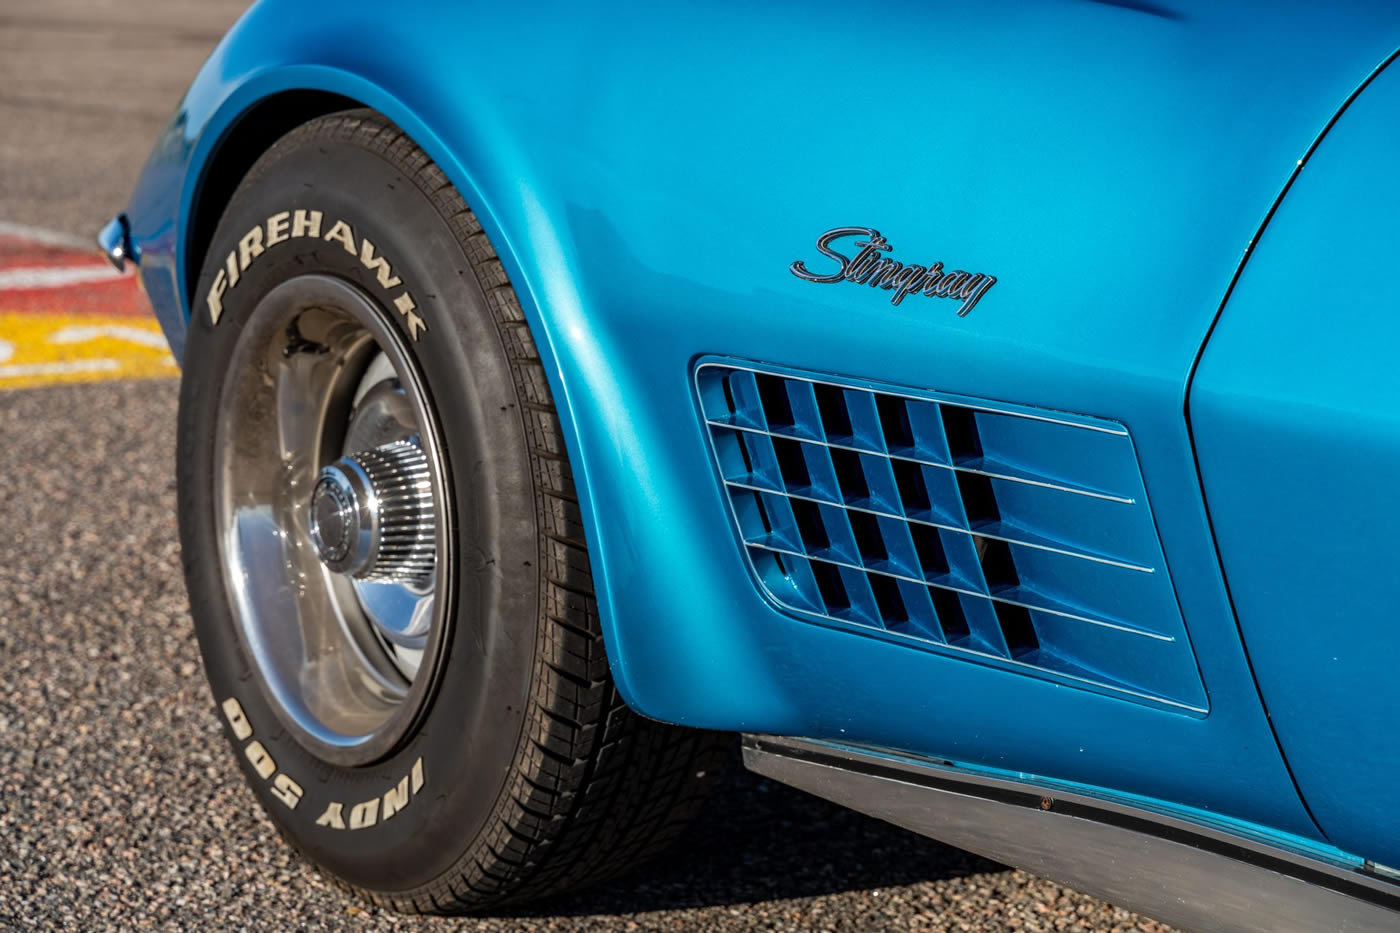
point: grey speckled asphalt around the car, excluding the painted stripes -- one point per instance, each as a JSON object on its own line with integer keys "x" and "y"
{"x": 120, "y": 803}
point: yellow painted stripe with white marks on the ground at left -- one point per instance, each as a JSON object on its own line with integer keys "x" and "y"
{"x": 47, "y": 350}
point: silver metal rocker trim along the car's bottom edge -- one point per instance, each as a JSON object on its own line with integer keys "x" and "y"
{"x": 1195, "y": 876}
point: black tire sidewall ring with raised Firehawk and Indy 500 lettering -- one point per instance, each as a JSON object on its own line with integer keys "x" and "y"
{"x": 468, "y": 738}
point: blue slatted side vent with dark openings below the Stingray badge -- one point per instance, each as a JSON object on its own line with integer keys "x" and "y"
{"x": 1013, "y": 536}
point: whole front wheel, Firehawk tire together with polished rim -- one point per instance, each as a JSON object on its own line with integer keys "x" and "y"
{"x": 384, "y": 551}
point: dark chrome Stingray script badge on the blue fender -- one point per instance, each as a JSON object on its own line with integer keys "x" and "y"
{"x": 869, "y": 267}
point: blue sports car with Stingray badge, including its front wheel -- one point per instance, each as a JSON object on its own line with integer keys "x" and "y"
{"x": 958, "y": 401}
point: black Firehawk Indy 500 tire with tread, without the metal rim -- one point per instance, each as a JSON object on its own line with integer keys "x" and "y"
{"x": 538, "y": 778}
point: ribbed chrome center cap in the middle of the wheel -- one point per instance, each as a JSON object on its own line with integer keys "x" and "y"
{"x": 372, "y": 515}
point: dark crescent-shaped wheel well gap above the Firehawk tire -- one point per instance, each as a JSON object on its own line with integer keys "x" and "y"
{"x": 248, "y": 138}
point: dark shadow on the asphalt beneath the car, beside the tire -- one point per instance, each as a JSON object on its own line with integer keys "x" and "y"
{"x": 761, "y": 841}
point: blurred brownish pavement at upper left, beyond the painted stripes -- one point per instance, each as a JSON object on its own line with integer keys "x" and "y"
{"x": 92, "y": 83}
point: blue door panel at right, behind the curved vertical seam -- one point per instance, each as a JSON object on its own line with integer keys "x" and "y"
{"x": 1294, "y": 415}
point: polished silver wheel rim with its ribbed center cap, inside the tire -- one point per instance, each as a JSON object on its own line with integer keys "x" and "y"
{"x": 334, "y": 518}
